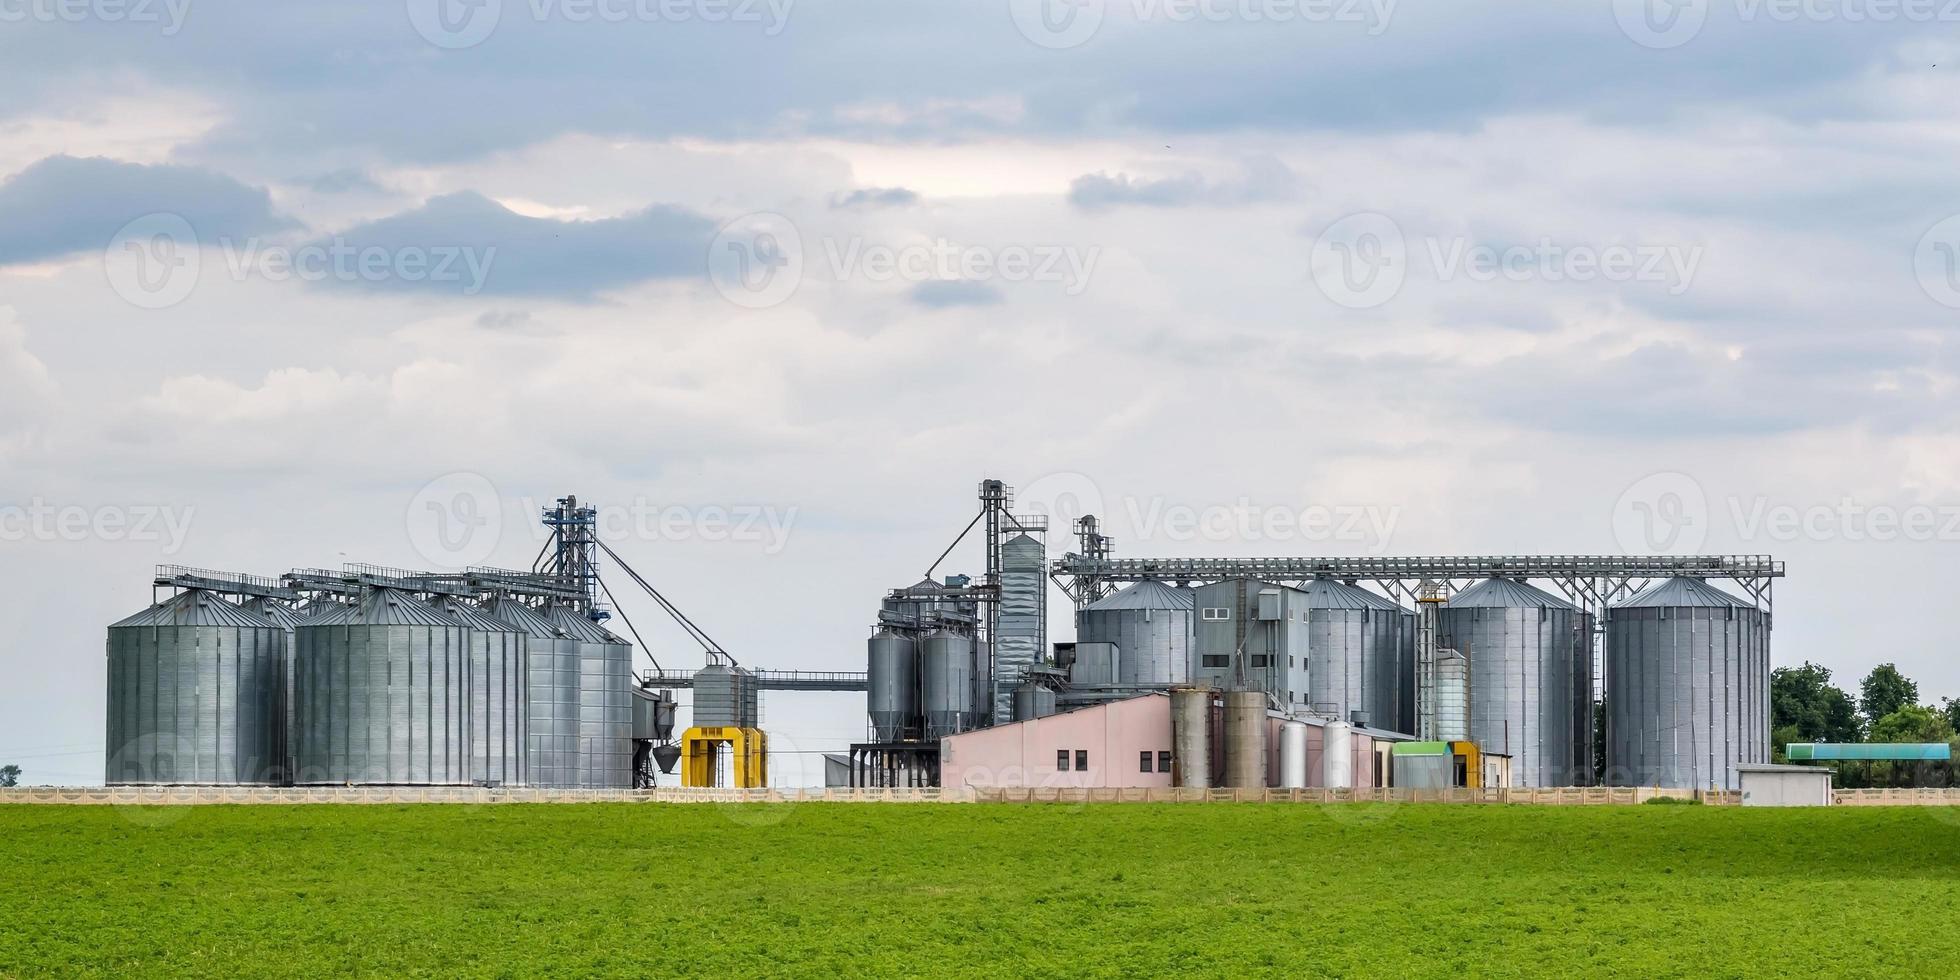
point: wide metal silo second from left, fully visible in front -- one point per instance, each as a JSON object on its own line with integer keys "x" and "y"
{"x": 381, "y": 695}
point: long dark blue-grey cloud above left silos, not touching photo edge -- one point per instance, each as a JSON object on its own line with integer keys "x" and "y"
{"x": 536, "y": 256}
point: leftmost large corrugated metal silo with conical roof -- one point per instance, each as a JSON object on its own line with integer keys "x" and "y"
{"x": 195, "y": 695}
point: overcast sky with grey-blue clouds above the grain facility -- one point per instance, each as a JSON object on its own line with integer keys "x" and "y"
{"x": 781, "y": 281}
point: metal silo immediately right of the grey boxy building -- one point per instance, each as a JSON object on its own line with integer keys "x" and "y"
{"x": 1355, "y": 658}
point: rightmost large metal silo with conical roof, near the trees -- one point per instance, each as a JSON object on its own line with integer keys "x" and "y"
{"x": 1689, "y": 687}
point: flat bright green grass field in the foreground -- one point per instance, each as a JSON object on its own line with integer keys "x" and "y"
{"x": 979, "y": 891}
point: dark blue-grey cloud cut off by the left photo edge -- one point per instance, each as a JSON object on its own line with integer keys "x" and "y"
{"x": 68, "y": 205}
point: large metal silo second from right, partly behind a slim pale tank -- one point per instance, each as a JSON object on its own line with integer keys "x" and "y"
{"x": 1520, "y": 646}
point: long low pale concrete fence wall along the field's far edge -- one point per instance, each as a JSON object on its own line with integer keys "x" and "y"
{"x": 471, "y": 795}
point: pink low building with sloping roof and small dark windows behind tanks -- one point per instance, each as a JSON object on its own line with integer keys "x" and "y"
{"x": 1122, "y": 746}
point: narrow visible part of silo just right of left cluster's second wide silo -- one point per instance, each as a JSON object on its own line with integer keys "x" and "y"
{"x": 499, "y": 709}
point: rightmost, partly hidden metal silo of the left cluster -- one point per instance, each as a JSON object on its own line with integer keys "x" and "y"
{"x": 605, "y": 701}
